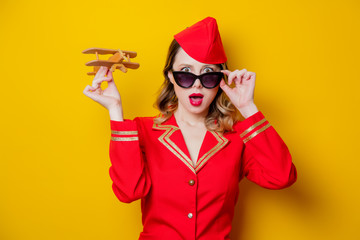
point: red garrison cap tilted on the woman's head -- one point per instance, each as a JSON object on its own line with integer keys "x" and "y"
{"x": 202, "y": 42}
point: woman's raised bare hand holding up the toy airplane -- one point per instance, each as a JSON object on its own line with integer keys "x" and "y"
{"x": 109, "y": 97}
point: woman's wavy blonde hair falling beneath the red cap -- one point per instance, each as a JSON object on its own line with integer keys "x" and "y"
{"x": 222, "y": 113}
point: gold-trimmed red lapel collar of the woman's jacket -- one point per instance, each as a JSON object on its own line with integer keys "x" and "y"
{"x": 174, "y": 141}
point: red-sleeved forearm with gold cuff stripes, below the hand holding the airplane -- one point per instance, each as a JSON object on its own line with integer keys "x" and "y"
{"x": 128, "y": 171}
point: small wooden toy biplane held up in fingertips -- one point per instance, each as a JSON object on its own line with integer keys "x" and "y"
{"x": 119, "y": 60}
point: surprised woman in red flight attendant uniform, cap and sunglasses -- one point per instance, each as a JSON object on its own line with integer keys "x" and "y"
{"x": 185, "y": 165}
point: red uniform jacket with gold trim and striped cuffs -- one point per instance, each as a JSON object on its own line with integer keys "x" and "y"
{"x": 181, "y": 201}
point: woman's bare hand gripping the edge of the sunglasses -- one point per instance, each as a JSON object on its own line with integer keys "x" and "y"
{"x": 242, "y": 95}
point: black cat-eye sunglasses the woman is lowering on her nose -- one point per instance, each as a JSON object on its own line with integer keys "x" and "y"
{"x": 187, "y": 79}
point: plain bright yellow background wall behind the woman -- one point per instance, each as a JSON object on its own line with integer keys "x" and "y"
{"x": 54, "y": 181}
